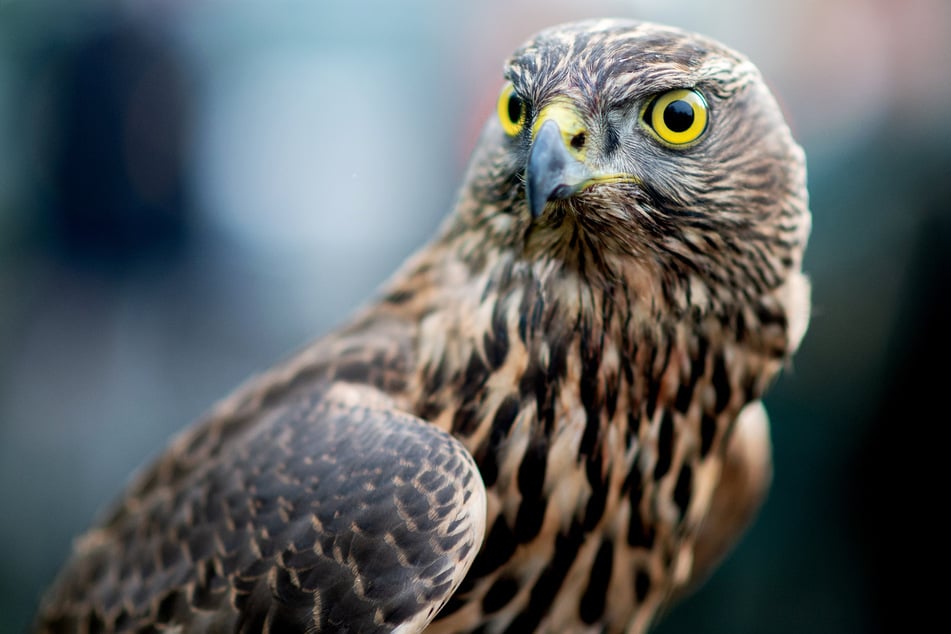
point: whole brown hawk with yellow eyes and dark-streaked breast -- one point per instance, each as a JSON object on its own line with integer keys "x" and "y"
{"x": 549, "y": 419}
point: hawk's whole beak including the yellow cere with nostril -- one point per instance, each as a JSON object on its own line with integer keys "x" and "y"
{"x": 556, "y": 167}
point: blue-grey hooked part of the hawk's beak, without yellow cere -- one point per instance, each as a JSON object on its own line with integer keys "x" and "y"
{"x": 553, "y": 171}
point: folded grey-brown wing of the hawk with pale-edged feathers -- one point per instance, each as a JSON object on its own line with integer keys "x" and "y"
{"x": 335, "y": 512}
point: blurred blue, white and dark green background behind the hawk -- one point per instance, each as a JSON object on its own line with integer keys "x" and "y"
{"x": 191, "y": 190}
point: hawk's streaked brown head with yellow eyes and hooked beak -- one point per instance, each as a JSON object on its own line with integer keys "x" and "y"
{"x": 631, "y": 153}
